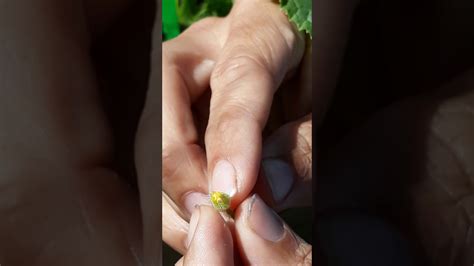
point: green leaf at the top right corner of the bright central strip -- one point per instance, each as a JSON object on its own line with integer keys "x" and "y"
{"x": 299, "y": 12}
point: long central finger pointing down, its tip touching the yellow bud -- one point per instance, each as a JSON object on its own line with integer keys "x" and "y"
{"x": 258, "y": 52}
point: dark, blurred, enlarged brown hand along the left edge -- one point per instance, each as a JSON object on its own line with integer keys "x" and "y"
{"x": 60, "y": 202}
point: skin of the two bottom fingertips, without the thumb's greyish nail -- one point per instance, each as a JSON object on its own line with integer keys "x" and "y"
{"x": 213, "y": 233}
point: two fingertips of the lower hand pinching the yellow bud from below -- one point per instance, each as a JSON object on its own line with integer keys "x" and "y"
{"x": 261, "y": 237}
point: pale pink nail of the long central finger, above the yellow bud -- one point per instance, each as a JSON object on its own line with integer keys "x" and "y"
{"x": 224, "y": 178}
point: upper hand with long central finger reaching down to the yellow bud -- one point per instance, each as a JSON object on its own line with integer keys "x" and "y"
{"x": 243, "y": 61}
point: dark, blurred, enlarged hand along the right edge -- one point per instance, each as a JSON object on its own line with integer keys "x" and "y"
{"x": 412, "y": 164}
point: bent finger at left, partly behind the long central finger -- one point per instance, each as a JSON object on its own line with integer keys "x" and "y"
{"x": 184, "y": 161}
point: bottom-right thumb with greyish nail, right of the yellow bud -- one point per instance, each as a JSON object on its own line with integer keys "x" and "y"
{"x": 264, "y": 239}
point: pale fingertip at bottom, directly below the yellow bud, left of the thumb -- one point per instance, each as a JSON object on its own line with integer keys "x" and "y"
{"x": 209, "y": 240}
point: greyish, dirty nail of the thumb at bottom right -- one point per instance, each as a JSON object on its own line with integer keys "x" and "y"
{"x": 264, "y": 221}
